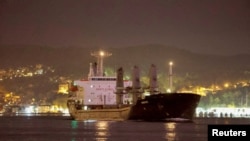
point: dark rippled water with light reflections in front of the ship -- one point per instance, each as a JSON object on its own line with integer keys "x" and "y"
{"x": 61, "y": 128}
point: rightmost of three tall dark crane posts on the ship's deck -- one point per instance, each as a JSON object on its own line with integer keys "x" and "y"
{"x": 153, "y": 86}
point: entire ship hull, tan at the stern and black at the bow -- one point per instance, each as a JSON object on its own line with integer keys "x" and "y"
{"x": 151, "y": 108}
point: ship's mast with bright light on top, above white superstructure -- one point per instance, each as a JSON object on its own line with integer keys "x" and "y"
{"x": 100, "y": 55}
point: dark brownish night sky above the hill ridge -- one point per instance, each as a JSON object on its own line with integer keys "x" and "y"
{"x": 208, "y": 26}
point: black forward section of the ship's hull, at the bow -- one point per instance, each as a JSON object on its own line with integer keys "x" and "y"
{"x": 165, "y": 106}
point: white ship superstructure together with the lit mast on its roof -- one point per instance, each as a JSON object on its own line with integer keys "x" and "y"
{"x": 99, "y": 89}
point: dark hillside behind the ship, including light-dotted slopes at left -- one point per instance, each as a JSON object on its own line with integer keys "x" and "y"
{"x": 190, "y": 69}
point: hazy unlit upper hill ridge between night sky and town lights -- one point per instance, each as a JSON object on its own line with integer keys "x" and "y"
{"x": 73, "y": 60}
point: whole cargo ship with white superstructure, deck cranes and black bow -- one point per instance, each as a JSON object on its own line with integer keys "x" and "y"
{"x": 101, "y": 97}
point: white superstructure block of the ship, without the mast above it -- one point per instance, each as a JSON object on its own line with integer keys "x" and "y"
{"x": 99, "y": 91}
